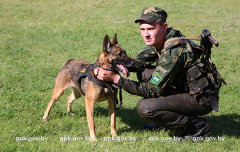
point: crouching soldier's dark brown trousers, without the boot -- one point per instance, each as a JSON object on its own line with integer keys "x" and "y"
{"x": 173, "y": 108}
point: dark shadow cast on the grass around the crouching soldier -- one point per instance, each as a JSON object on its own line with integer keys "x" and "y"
{"x": 223, "y": 125}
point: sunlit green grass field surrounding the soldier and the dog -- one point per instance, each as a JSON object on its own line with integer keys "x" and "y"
{"x": 38, "y": 37}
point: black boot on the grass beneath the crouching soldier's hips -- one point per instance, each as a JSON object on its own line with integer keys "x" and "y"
{"x": 196, "y": 127}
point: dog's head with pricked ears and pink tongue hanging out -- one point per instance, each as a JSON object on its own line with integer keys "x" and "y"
{"x": 115, "y": 56}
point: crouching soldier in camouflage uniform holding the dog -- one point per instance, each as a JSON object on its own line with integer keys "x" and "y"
{"x": 169, "y": 98}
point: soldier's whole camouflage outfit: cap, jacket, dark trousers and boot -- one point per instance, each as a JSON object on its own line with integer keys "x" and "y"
{"x": 165, "y": 101}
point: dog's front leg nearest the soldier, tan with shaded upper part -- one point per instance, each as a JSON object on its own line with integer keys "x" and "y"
{"x": 112, "y": 114}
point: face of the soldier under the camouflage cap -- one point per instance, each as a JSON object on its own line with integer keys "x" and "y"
{"x": 152, "y": 33}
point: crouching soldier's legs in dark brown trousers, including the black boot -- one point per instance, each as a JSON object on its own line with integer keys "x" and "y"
{"x": 175, "y": 109}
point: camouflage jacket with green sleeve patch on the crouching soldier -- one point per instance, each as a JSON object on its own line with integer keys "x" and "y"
{"x": 171, "y": 63}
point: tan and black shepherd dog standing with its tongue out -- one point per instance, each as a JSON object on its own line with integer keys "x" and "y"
{"x": 115, "y": 57}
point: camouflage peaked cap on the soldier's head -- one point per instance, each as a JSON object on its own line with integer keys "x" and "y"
{"x": 151, "y": 14}
